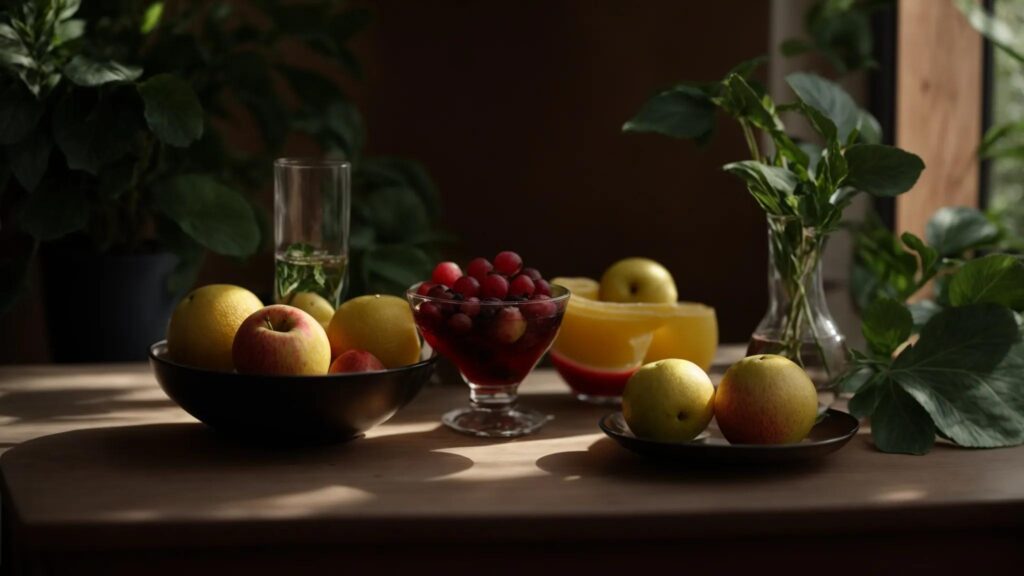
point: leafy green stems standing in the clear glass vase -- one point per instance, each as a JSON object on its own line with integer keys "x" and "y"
{"x": 802, "y": 187}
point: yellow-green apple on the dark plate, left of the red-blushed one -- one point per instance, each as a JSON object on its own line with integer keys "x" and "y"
{"x": 669, "y": 401}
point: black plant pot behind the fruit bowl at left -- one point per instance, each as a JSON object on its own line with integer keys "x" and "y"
{"x": 105, "y": 308}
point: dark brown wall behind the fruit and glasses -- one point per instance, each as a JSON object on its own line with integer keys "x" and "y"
{"x": 517, "y": 108}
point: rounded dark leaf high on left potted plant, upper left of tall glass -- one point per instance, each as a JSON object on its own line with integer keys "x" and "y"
{"x": 173, "y": 110}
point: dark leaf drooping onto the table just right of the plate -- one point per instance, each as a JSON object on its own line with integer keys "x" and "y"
{"x": 900, "y": 425}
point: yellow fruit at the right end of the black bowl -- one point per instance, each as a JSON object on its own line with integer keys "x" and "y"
{"x": 381, "y": 325}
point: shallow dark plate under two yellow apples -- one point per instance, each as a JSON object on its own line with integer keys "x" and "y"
{"x": 829, "y": 435}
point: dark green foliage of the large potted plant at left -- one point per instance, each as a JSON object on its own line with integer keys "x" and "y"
{"x": 117, "y": 119}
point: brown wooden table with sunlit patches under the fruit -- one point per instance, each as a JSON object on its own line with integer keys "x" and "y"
{"x": 104, "y": 475}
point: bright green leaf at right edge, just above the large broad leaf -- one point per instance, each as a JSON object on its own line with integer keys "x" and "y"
{"x": 997, "y": 279}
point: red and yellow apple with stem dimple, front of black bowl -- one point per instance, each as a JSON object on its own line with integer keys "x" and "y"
{"x": 281, "y": 340}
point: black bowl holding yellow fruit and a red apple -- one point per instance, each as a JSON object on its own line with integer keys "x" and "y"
{"x": 289, "y": 410}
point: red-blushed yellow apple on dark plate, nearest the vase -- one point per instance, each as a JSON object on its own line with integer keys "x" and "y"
{"x": 766, "y": 399}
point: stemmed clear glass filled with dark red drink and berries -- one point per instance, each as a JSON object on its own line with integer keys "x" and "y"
{"x": 495, "y": 345}
